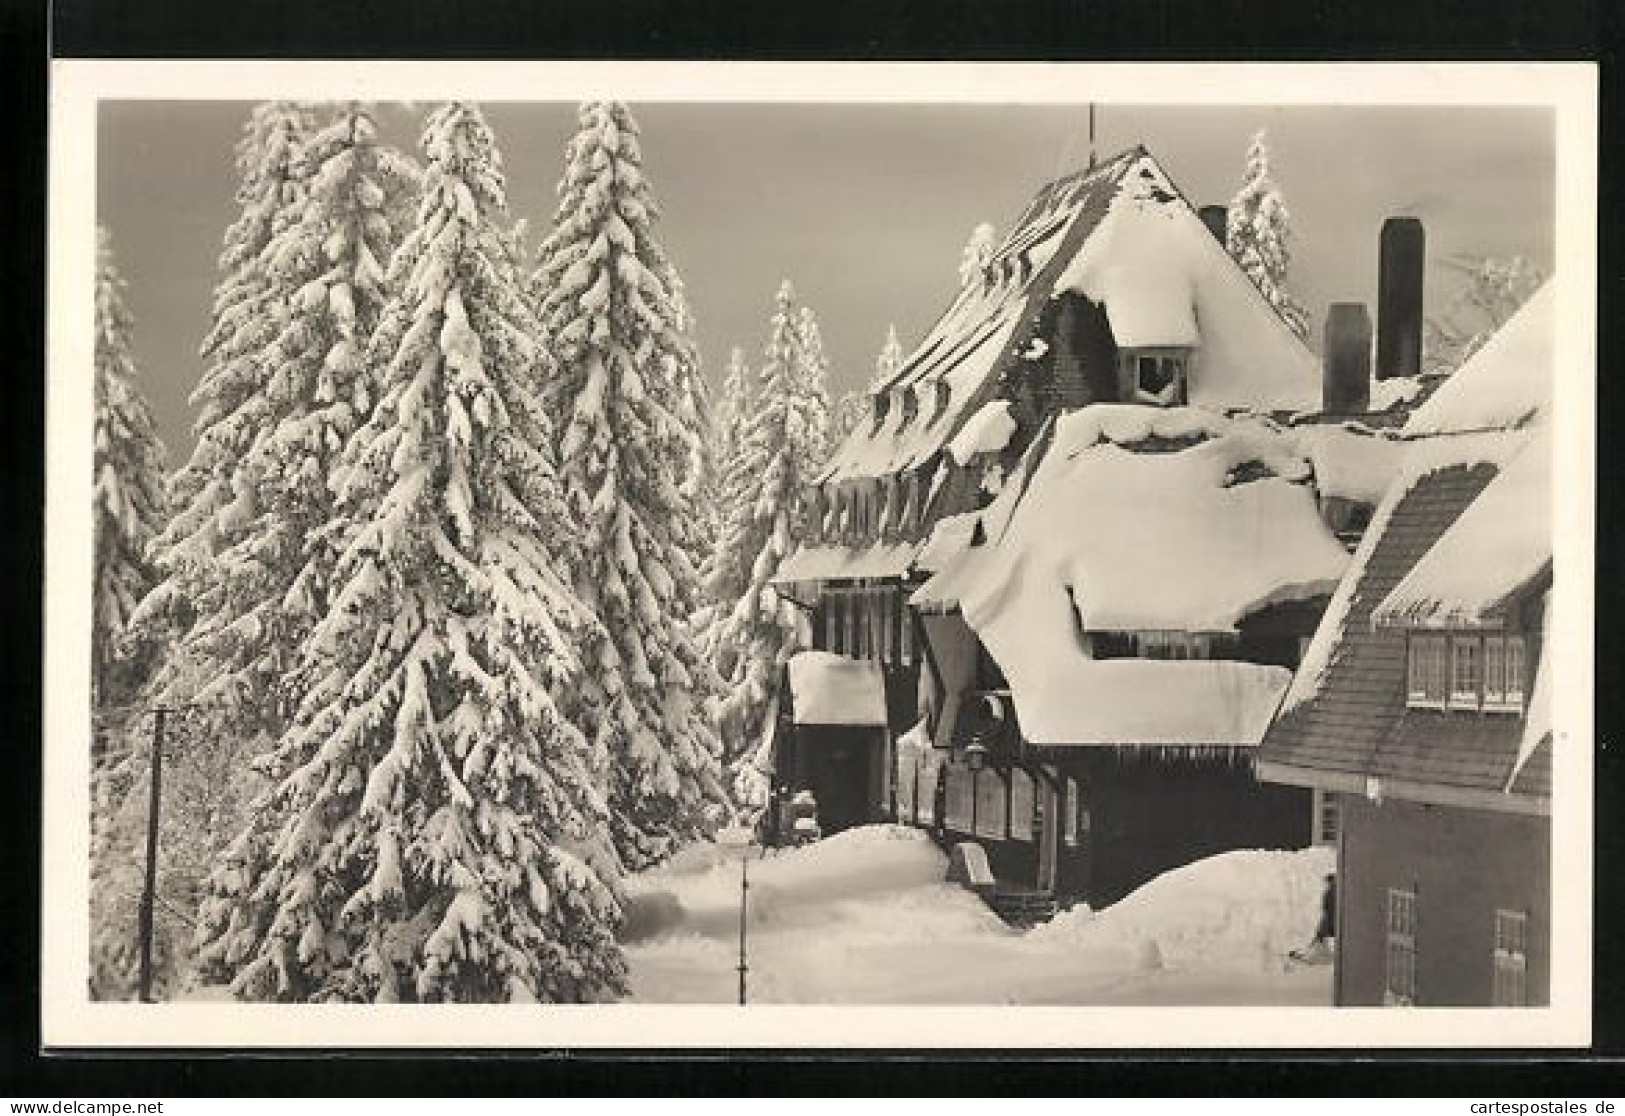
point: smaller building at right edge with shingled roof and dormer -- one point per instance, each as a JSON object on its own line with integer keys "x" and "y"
{"x": 1424, "y": 703}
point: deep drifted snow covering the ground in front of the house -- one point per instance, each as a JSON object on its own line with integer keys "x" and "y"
{"x": 867, "y": 917}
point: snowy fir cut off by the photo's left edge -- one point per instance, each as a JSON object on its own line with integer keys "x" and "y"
{"x": 128, "y": 491}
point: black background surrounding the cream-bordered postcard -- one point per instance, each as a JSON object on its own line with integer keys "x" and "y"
{"x": 763, "y": 30}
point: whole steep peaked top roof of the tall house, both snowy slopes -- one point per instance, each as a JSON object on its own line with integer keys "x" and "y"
{"x": 1122, "y": 236}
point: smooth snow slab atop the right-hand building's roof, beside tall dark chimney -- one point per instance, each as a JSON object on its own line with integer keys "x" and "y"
{"x": 1504, "y": 384}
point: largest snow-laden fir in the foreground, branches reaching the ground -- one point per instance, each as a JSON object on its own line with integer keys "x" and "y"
{"x": 431, "y": 798}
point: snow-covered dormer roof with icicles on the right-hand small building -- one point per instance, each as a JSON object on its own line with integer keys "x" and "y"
{"x": 1499, "y": 547}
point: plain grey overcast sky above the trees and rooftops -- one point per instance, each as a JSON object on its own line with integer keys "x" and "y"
{"x": 864, "y": 209}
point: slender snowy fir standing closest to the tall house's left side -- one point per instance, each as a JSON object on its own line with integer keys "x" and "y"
{"x": 756, "y": 631}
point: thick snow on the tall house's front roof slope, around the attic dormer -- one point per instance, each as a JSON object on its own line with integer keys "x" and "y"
{"x": 1164, "y": 280}
